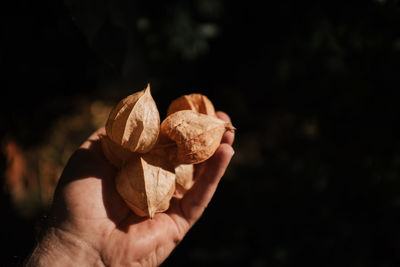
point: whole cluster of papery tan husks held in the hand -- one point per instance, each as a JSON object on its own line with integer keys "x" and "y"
{"x": 156, "y": 159}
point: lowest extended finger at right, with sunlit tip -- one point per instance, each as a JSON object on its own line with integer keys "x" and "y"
{"x": 197, "y": 198}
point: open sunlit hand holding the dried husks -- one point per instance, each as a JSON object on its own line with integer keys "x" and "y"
{"x": 92, "y": 226}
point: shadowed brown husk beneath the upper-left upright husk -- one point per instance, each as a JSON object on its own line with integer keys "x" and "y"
{"x": 113, "y": 152}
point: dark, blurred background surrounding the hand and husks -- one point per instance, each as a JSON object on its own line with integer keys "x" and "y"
{"x": 311, "y": 87}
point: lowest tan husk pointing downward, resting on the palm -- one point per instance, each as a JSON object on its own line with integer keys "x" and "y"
{"x": 146, "y": 183}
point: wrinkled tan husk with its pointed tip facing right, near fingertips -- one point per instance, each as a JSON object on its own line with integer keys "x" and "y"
{"x": 197, "y": 136}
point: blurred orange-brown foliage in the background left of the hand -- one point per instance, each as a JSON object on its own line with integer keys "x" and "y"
{"x": 32, "y": 174}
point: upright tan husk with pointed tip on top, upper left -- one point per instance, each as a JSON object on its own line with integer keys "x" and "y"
{"x": 134, "y": 123}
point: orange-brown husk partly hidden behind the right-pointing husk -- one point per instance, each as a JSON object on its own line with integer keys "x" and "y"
{"x": 195, "y": 102}
